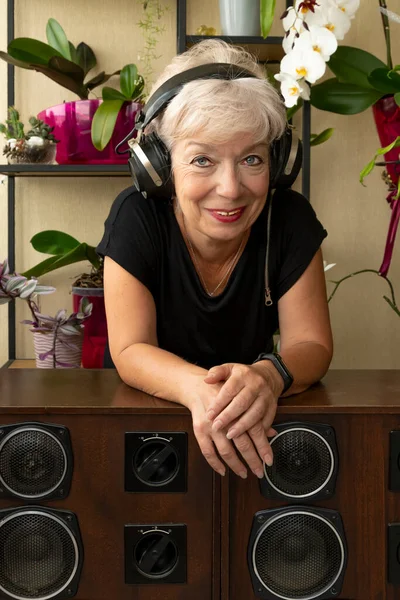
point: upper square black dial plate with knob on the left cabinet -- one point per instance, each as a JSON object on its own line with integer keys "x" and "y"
{"x": 156, "y": 462}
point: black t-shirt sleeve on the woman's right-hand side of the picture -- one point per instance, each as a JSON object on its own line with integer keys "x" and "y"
{"x": 298, "y": 235}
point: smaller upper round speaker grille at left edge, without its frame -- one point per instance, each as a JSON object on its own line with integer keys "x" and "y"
{"x": 33, "y": 462}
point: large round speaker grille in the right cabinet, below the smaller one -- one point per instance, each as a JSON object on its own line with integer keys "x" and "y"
{"x": 298, "y": 555}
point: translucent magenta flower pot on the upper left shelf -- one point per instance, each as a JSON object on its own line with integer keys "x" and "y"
{"x": 72, "y": 122}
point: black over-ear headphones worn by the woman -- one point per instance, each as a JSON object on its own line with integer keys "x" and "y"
{"x": 150, "y": 161}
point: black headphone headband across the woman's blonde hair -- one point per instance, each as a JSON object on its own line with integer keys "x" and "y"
{"x": 170, "y": 88}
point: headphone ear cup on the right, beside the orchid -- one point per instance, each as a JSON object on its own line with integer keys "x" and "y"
{"x": 286, "y": 157}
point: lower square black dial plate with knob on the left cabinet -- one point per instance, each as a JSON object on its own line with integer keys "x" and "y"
{"x": 155, "y": 553}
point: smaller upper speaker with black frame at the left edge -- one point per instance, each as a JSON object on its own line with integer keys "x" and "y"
{"x": 36, "y": 461}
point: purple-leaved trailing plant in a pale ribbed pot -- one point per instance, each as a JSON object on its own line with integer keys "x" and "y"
{"x": 57, "y": 340}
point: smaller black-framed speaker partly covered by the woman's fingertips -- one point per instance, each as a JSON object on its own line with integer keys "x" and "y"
{"x": 305, "y": 463}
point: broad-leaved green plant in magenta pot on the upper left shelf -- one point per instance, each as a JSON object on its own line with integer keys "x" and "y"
{"x": 69, "y": 66}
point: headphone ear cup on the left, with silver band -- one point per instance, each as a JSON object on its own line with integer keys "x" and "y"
{"x": 150, "y": 167}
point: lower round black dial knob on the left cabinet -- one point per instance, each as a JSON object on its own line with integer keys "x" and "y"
{"x": 156, "y": 555}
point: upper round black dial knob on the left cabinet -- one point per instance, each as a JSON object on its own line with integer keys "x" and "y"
{"x": 156, "y": 462}
